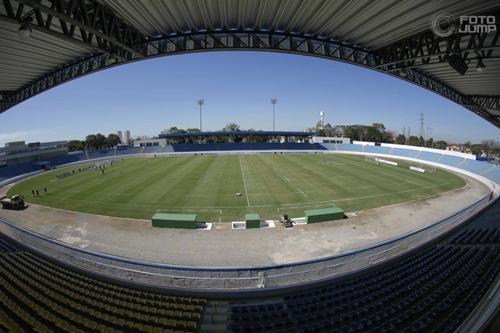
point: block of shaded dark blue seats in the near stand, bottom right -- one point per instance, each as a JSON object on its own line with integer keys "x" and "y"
{"x": 432, "y": 289}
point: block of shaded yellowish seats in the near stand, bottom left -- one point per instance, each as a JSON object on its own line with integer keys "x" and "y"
{"x": 37, "y": 294}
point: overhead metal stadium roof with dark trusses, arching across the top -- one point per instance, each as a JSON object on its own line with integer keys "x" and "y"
{"x": 71, "y": 38}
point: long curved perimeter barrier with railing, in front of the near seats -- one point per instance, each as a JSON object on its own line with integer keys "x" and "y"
{"x": 237, "y": 279}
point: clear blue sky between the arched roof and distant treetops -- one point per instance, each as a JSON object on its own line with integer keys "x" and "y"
{"x": 148, "y": 96}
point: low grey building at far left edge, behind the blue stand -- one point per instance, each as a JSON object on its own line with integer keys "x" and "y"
{"x": 19, "y": 152}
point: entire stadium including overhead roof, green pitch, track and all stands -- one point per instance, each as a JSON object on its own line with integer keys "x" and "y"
{"x": 280, "y": 236}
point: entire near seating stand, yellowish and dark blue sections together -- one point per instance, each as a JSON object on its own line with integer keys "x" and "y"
{"x": 433, "y": 288}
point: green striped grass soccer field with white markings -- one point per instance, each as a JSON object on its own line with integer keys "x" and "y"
{"x": 270, "y": 184}
